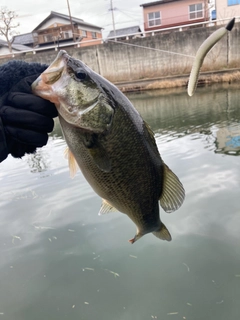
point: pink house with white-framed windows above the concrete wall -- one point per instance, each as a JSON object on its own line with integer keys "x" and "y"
{"x": 170, "y": 13}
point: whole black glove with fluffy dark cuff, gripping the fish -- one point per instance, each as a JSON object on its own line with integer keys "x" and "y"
{"x": 25, "y": 119}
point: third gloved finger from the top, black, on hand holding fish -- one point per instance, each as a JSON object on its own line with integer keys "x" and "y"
{"x": 28, "y": 137}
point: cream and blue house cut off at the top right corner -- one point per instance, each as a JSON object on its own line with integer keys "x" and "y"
{"x": 227, "y": 9}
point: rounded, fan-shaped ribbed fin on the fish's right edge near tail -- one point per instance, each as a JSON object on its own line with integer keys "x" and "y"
{"x": 173, "y": 192}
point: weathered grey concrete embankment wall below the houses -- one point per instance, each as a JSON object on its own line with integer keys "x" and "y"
{"x": 172, "y": 54}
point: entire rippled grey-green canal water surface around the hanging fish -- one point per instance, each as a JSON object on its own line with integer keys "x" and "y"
{"x": 60, "y": 260}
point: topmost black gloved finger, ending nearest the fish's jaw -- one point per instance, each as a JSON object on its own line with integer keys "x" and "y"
{"x": 33, "y": 103}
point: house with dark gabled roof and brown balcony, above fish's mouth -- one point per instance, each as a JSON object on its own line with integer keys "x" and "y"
{"x": 59, "y": 29}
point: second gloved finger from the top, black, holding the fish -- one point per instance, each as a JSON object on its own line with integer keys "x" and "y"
{"x": 26, "y": 119}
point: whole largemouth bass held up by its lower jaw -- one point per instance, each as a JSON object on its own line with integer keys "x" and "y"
{"x": 112, "y": 145}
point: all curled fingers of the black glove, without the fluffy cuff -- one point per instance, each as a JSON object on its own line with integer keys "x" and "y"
{"x": 26, "y": 119}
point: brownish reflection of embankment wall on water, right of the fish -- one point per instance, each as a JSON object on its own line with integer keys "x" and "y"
{"x": 212, "y": 114}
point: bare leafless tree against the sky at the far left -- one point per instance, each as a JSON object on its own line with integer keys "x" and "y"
{"x": 8, "y": 25}
